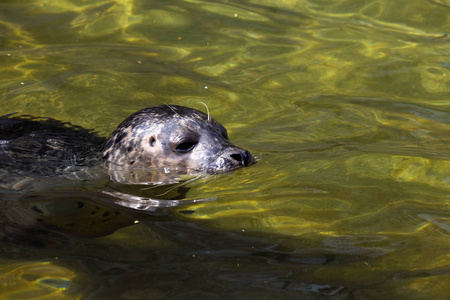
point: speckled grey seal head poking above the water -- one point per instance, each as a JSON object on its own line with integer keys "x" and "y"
{"x": 174, "y": 138}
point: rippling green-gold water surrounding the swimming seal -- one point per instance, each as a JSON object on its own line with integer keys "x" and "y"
{"x": 345, "y": 104}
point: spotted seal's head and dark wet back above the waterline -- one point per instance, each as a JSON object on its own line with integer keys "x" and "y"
{"x": 164, "y": 139}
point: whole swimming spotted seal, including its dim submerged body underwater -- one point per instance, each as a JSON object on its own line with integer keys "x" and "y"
{"x": 43, "y": 161}
